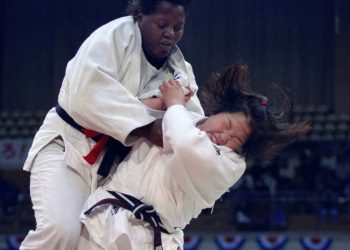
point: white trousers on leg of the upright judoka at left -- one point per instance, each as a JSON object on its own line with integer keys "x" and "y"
{"x": 58, "y": 195}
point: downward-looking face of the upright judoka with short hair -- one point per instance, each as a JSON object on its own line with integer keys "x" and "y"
{"x": 161, "y": 30}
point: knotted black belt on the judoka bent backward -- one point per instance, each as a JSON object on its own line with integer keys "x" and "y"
{"x": 140, "y": 210}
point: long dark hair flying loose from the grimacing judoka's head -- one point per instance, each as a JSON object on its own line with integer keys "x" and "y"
{"x": 273, "y": 127}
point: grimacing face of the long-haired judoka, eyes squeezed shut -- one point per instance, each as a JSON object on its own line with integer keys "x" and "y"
{"x": 227, "y": 129}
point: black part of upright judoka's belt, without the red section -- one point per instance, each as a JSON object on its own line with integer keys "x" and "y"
{"x": 113, "y": 147}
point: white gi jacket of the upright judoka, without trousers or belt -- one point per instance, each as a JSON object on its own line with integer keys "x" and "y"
{"x": 100, "y": 92}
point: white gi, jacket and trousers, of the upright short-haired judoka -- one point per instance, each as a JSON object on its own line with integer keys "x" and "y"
{"x": 99, "y": 91}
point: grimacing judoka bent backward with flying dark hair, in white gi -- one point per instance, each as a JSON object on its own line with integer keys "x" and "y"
{"x": 196, "y": 166}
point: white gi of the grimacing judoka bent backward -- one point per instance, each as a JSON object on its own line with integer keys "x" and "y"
{"x": 189, "y": 174}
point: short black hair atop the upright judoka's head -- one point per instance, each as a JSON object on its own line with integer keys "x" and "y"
{"x": 148, "y": 7}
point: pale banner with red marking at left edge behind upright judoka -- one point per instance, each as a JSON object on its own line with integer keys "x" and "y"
{"x": 13, "y": 152}
